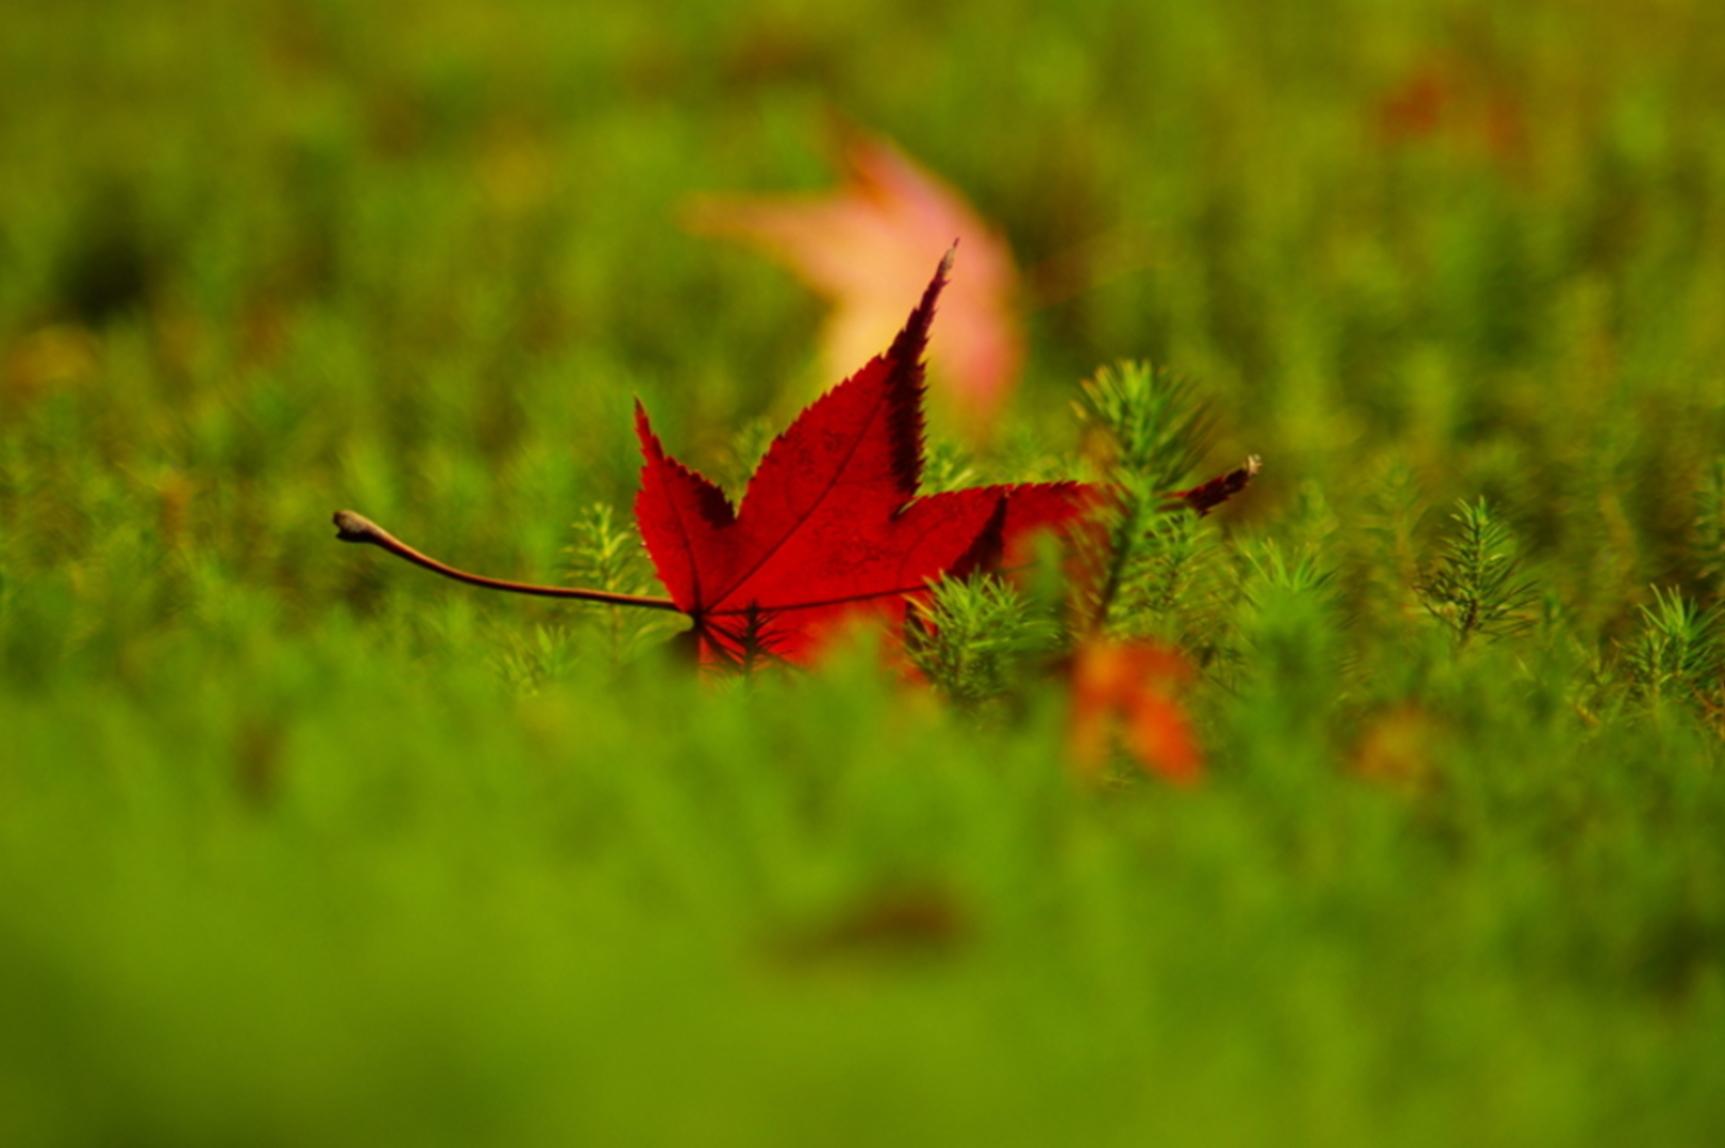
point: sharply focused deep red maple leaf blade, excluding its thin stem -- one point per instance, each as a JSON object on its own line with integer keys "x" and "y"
{"x": 832, "y": 523}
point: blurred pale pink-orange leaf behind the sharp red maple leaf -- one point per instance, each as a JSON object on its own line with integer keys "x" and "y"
{"x": 867, "y": 246}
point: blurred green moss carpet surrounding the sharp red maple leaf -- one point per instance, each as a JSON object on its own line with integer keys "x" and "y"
{"x": 303, "y": 847}
